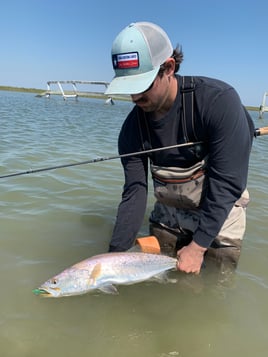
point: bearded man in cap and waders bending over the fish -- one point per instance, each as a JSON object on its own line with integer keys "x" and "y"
{"x": 200, "y": 185}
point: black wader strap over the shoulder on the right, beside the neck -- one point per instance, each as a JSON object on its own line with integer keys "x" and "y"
{"x": 187, "y": 116}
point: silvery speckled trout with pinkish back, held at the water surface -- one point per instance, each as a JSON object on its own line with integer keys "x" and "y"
{"x": 103, "y": 272}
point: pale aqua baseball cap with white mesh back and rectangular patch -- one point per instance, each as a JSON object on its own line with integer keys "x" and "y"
{"x": 137, "y": 53}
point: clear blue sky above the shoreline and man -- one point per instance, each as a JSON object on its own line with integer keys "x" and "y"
{"x": 64, "y": 39}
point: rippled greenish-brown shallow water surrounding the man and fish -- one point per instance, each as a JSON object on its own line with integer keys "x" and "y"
{"x": 53, "y": 219}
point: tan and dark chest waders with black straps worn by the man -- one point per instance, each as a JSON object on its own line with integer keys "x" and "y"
{"x": 179, "y": 192}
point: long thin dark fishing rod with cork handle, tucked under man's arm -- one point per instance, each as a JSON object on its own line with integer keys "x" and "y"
{"x": 257, "y": 132}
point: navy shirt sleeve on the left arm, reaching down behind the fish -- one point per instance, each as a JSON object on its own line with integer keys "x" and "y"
{"x": 132, "y": 207}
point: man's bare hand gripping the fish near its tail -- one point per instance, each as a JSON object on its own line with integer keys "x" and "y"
{"x": 190, "y": 258}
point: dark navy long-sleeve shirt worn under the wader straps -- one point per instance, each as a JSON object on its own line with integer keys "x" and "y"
{"x": 226, "y": 129}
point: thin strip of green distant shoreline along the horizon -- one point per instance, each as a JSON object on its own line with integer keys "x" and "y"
{"x": 85, "y": 94}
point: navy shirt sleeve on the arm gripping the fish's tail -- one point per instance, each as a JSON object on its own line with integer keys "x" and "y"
{"x": 229, "y": 144}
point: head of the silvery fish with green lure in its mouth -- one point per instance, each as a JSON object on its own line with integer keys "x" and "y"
{"x": 70, "y": 282}
